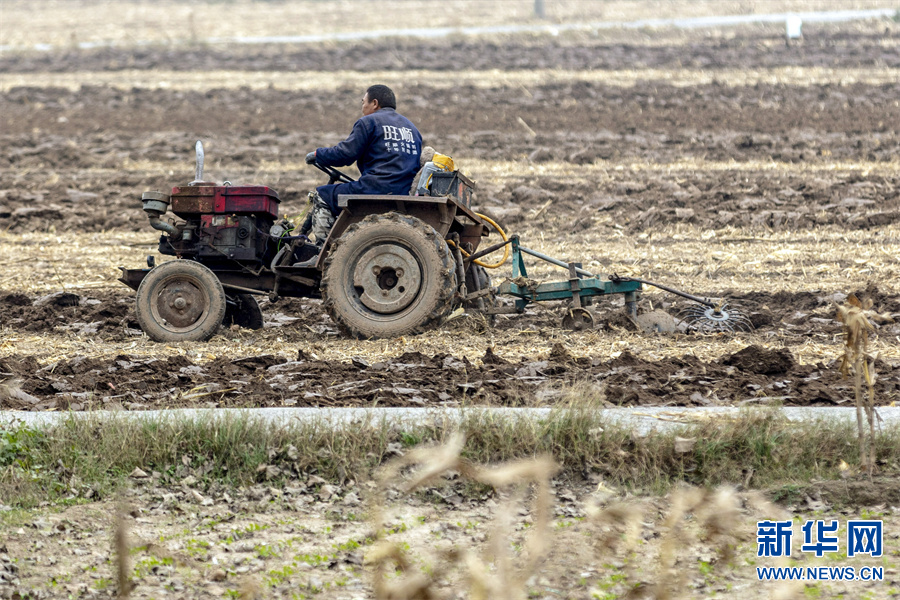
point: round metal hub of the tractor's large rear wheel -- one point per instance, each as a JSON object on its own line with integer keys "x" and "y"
{"x": 388, "y": 278}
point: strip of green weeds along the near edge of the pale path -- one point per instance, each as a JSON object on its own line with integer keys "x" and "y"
{"x": 86, "y": 458}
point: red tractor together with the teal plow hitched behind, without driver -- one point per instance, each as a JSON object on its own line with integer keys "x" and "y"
{"x": 391, "y": 265}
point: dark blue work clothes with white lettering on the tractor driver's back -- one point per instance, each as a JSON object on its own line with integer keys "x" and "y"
{"x": 385, "y": 146}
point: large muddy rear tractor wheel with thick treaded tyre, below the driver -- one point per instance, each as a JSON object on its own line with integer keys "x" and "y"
{"x": 388, "y": 275}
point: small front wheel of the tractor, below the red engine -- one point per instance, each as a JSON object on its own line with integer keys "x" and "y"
{"x": 179, "y": 301}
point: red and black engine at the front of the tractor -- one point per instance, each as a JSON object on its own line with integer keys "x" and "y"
{"x": 222, "y": 223}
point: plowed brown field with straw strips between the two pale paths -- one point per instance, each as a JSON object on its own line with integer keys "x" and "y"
{"x": 734, "y": 141}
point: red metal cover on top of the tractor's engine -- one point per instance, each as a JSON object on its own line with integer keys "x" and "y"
{"x": 190, "y": 201}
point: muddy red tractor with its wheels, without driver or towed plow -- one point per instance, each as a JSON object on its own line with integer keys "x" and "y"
{"x": 391, "y": 266}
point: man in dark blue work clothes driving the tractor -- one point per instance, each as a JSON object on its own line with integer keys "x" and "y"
{"x": 385, "y": 146}
